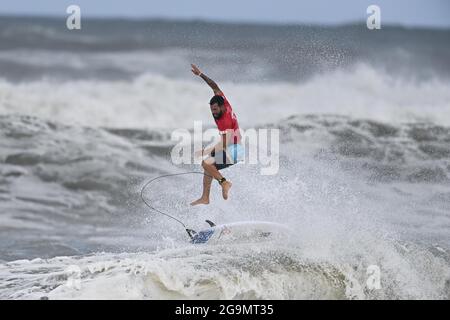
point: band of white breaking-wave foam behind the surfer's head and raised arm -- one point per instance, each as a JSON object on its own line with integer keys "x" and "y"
{"x": 154, "y": 101}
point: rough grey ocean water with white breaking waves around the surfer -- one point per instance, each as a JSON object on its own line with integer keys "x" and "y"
{"x": 86, "y": 119}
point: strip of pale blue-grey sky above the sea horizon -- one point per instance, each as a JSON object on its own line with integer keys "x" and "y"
{"x": 430, "y": 13}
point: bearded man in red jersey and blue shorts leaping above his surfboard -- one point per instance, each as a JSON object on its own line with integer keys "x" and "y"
{"x": 228, "y": 150}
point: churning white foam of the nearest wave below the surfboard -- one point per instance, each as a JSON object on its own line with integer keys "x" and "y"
{"x": 227, "y": 272}
